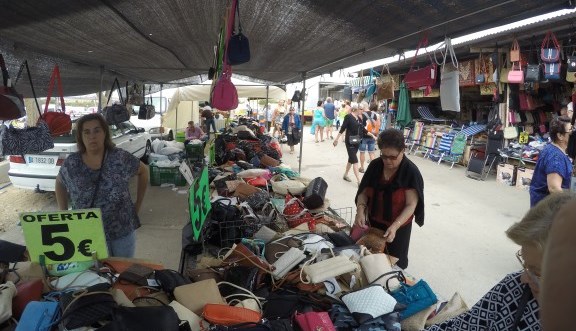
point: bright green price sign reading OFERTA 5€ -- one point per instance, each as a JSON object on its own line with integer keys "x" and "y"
{"x": 64, "y": 236}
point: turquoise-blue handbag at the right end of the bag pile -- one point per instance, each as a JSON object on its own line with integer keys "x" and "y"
{"x": 416, "y": 297}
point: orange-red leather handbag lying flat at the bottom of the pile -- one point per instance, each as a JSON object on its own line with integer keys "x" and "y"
{"x": 223, "y": 314}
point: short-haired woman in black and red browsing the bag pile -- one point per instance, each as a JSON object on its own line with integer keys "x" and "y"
{"x": 391, "y": 195}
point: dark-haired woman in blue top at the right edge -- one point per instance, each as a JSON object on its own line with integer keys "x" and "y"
{"x": 554, "y": 168}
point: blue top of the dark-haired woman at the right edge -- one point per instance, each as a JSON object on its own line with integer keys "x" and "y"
{"x": 551, "y": 160}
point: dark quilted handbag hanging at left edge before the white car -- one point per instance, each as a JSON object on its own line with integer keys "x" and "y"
{"x": 31, "y": 140}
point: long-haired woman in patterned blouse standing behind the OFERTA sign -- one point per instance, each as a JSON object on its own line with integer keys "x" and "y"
{"x": 97, "y": 176}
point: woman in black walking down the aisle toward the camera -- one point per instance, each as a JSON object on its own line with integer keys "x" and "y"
{"x": 352, "y": 125}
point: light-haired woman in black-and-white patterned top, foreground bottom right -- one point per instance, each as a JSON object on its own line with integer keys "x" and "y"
{"x": 513, "y": 304}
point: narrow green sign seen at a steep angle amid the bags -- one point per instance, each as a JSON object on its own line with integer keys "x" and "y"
{"x": 199, "y": 202}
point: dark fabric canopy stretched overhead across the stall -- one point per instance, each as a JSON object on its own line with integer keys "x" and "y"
{"x": 172, "y": 41}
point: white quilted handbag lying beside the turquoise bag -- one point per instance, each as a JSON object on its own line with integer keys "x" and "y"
{"x": 370, "y": 302}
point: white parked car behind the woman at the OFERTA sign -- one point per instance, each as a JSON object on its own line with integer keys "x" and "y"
{"x": 38, "y": 171}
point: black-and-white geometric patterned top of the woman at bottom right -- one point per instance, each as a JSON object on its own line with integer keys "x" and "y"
{"x": 496, "y": 311}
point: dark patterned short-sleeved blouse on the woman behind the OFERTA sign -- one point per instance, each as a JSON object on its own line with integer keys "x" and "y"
{"x": 113, "y": 197}
